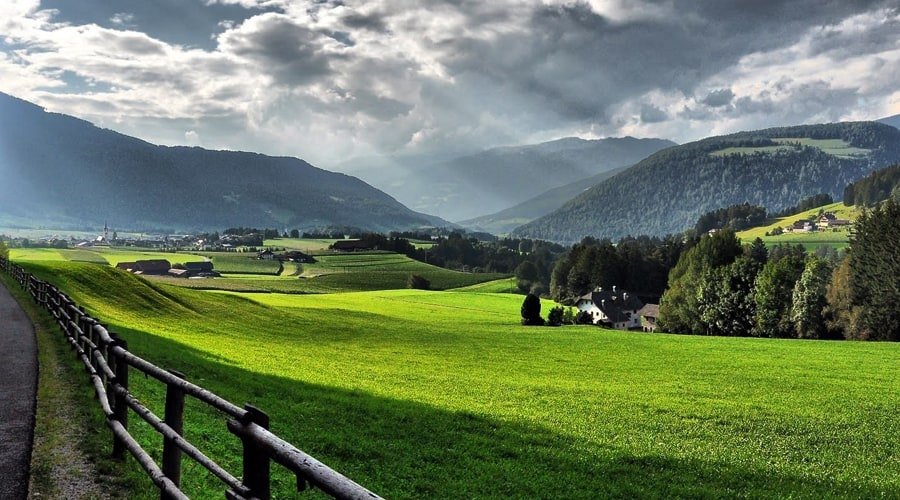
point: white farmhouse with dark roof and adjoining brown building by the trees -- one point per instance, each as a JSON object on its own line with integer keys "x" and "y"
{"x": 618, "y": 309}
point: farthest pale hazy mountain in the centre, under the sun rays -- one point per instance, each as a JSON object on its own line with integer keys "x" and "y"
{"x": 492, "y": 180}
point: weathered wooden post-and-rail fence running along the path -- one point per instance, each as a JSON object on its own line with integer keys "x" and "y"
{"x": 107, "y": 361}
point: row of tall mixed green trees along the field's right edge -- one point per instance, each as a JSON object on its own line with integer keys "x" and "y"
{"x": 719, "y": 287}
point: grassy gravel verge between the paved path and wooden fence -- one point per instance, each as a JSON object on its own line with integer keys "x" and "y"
{"x": 72, "y": 445}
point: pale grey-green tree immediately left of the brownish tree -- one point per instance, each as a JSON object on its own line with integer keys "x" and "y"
{"x": 808, "y": 301}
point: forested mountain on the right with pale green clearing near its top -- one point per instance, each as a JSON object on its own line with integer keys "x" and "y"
{"x": 773, "y": 168}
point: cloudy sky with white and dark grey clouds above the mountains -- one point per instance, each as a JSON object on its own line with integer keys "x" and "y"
{"x": 331, "y": 80}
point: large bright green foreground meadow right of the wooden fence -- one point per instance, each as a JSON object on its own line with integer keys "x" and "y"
{"x": 434, "y": 394}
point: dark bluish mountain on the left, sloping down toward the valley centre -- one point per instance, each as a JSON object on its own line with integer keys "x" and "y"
{"x": 56, "y": 169}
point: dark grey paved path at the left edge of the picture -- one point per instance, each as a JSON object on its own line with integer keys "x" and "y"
{"x": 18, "y": 383}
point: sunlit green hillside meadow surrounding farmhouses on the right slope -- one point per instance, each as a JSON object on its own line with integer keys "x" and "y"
{"x": 838, "y": 239}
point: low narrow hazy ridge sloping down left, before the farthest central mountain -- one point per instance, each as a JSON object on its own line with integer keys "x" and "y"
{"x": 506, "y": 220}
